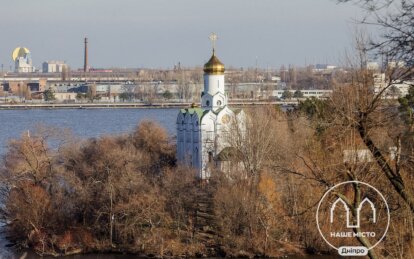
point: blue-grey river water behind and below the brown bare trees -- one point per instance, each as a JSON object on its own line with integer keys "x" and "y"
{"x": 84, "y": 123}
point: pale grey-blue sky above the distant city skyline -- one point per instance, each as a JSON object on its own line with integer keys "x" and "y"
{"x": 161, "y": 33}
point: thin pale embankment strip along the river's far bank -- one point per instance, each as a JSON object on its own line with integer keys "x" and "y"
{"x": 26, "y": 106}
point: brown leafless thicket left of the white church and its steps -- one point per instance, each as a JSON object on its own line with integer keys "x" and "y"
{"x": 102, "y": 194}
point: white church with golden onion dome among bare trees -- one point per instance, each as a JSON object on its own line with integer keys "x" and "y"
{"x": 202, "y": 132}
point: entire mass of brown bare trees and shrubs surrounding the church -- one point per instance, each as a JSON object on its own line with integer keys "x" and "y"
{"x": 127, "y": 194}
